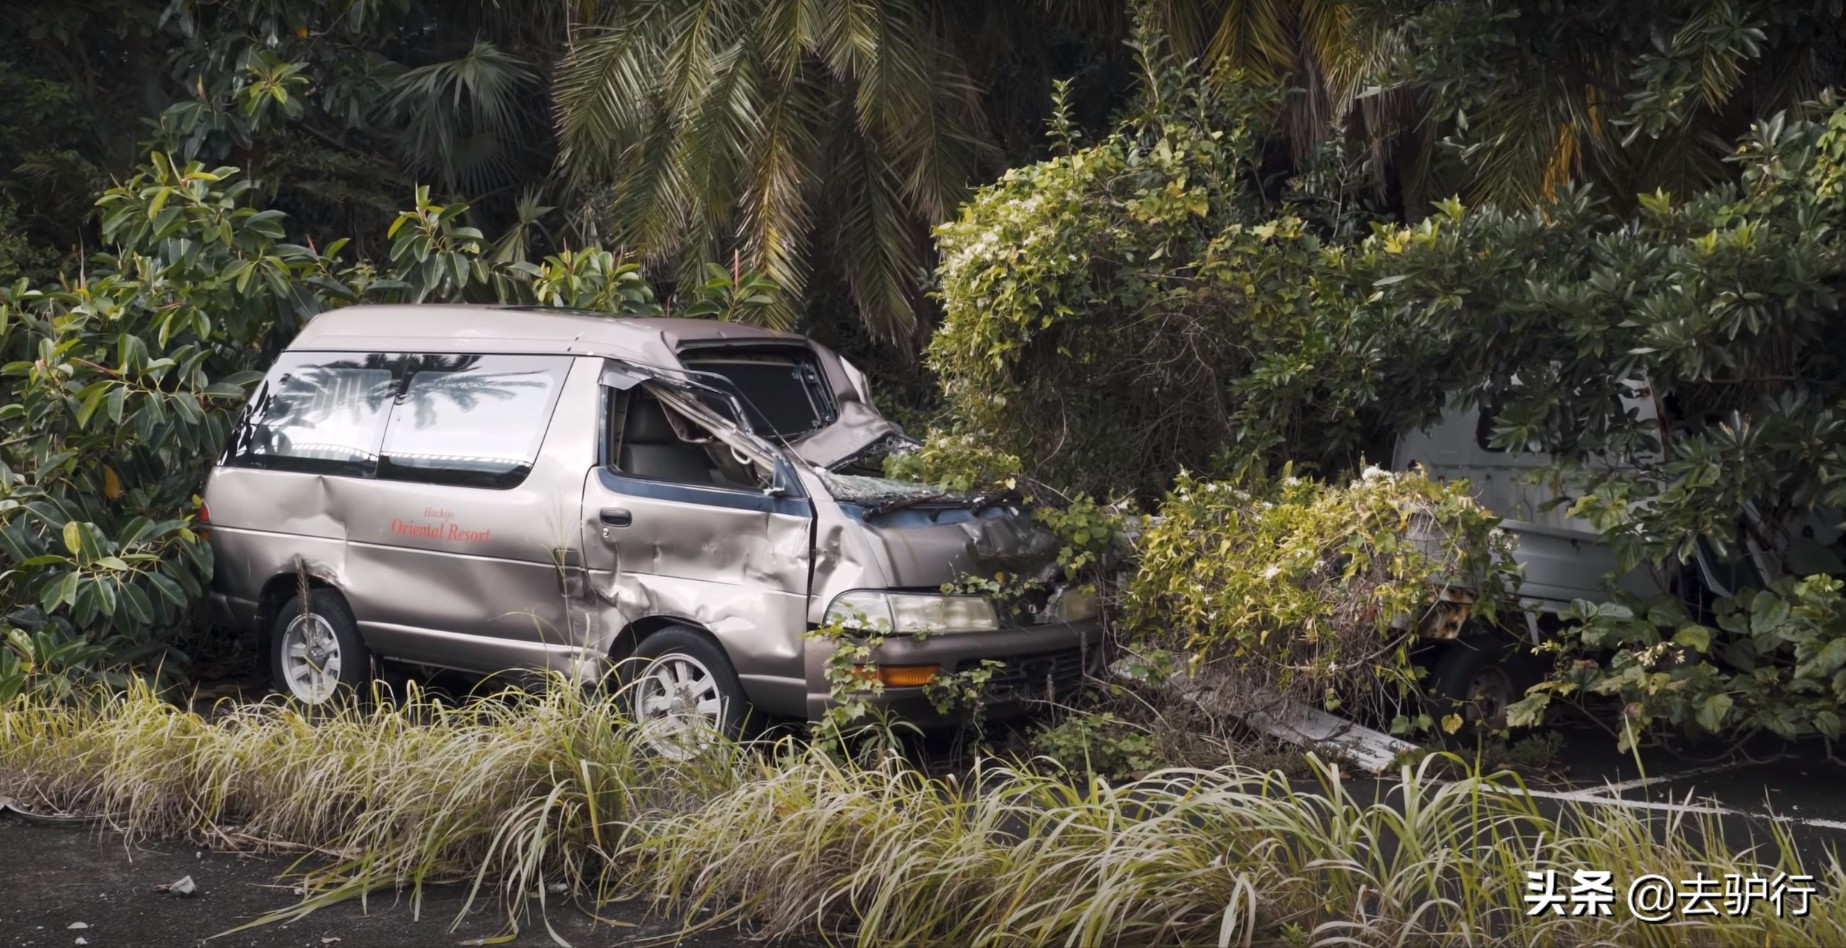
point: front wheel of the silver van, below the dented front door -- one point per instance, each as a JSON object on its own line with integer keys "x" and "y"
{"x": 684, "y": 693}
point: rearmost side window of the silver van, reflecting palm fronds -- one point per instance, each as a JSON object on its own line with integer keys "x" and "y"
{"x": 317, "y": 412}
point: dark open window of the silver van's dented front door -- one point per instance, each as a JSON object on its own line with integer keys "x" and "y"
{"x": 658, "y": 444}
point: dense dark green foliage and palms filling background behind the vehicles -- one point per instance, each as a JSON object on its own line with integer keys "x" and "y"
{"x": 1097, "y": 246}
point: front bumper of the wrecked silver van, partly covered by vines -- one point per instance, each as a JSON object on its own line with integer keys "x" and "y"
{"x": 1038, "y": 663}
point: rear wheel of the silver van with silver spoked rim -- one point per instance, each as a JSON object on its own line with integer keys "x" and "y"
{"x": 318, "y": 654}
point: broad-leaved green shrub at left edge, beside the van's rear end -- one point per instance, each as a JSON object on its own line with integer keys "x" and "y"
{"x": 117, "y": 397}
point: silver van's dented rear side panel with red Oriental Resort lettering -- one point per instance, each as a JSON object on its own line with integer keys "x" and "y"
{"x": 440, "y": 575}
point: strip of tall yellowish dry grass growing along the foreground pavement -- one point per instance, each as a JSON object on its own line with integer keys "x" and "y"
{"x": 533, "y": 790}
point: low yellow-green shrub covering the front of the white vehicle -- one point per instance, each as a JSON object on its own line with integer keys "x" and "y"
{"x": 1313, "y": 589}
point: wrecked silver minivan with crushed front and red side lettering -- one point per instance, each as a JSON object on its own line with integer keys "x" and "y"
{"x": 486, "y": 490}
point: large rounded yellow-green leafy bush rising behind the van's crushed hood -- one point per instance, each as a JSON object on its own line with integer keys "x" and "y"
{"x": 1133, "y": 309}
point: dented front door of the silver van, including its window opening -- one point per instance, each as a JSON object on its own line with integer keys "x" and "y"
{"x": 693, "y": 521}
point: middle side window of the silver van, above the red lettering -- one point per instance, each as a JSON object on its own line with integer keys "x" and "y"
{"x": 472, "y": 421}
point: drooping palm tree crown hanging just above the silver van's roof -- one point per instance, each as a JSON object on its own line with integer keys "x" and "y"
{"x": 773, "y": 130}
